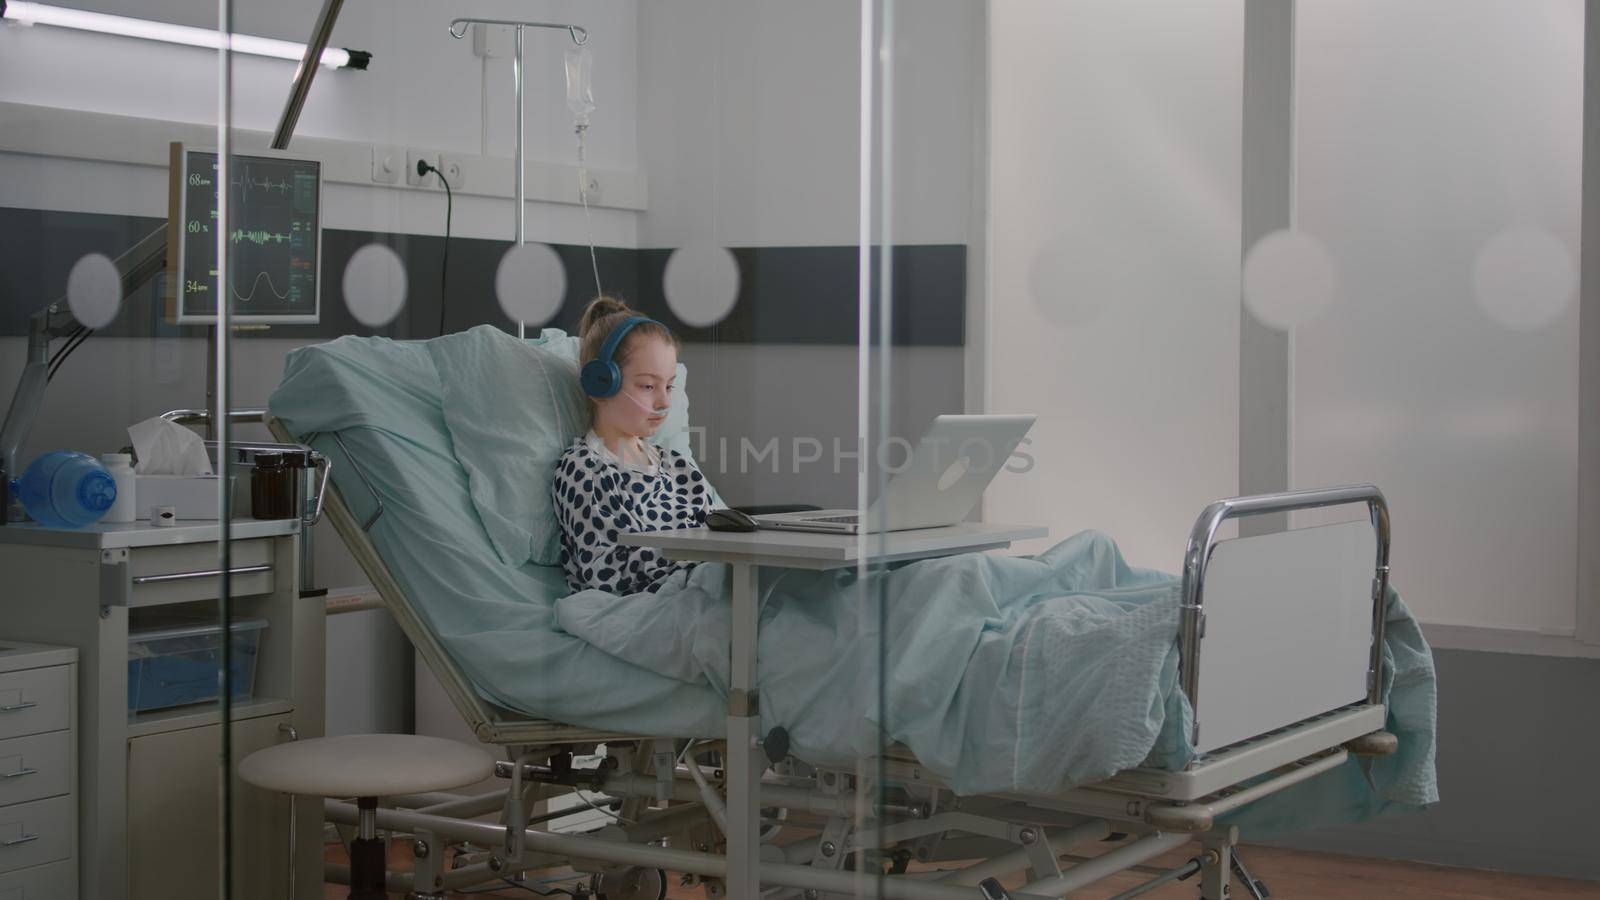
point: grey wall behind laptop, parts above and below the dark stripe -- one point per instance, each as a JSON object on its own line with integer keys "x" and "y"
{"x": 750, "y": 131}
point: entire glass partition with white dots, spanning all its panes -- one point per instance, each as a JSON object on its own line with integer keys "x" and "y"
{"x": 1166, "y": 254}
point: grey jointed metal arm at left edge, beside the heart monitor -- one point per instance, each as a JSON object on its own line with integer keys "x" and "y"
{"x": 137, "y": 267}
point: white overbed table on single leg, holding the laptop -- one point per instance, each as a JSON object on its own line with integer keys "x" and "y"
{"x": 745, "y": 552}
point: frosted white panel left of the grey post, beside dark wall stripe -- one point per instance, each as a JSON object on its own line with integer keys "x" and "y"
{"x": 1114, "y": 159}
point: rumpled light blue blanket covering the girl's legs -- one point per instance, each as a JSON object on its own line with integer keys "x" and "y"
{"x": 1001, "y": 673}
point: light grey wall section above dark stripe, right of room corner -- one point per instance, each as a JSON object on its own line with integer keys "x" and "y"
{"x": 750, "y": 121}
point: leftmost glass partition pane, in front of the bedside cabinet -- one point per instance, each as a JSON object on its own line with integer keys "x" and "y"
{"x": 116, "y": 598}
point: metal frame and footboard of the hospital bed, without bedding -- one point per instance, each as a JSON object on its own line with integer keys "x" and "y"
{"x": 1281, "y": 659}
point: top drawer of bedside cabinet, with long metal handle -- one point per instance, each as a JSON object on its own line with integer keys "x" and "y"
{"x": 190, "y": 573}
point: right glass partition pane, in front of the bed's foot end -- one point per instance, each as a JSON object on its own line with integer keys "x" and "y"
{"x": 1223, "y": 251}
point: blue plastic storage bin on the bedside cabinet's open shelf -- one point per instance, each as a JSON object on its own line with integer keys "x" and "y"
{"x": 175, "y": 664}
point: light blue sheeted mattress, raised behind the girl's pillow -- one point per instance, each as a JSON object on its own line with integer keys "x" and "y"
{"x": 374, "y": 408}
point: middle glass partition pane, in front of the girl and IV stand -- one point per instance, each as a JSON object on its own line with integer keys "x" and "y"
{"x": 697, "y": 164}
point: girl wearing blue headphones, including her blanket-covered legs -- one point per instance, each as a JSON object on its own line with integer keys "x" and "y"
{"x": 1001, "y": 616}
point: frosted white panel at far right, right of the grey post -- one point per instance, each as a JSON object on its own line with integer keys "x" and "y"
{"x": 1425, "y": 131}
